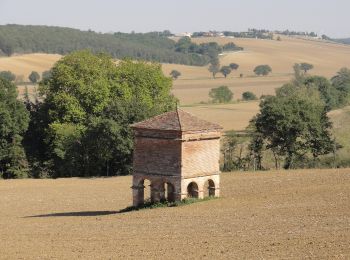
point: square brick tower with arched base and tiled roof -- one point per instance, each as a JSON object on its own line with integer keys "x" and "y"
{"x": 178, "y": 153}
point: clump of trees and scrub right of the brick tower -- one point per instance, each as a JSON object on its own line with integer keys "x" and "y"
{"x": 292, "y": 128}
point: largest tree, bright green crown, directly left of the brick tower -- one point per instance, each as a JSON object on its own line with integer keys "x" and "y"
{"x": 90, "y": 103}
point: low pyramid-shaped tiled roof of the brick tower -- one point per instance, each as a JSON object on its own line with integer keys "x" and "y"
{"x": 177, "y": 120}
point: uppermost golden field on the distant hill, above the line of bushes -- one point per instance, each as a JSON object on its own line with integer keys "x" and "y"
{"x": 326, "y": 57}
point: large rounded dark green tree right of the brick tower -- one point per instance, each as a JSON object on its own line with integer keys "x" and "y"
{"x": 294, "y": 125}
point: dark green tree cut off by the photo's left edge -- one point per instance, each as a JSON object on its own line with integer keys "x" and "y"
{"x": 14, "y": 120}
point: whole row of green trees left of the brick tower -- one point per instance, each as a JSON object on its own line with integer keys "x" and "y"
{"x": 80, "y": 125}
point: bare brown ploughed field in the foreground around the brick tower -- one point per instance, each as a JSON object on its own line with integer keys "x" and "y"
{"x": 278, "y": 215}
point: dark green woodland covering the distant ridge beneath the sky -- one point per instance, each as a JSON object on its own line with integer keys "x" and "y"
{"x": 153, "y": 46}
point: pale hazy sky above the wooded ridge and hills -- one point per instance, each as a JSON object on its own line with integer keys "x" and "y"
{"x": 330, "y": 17}
